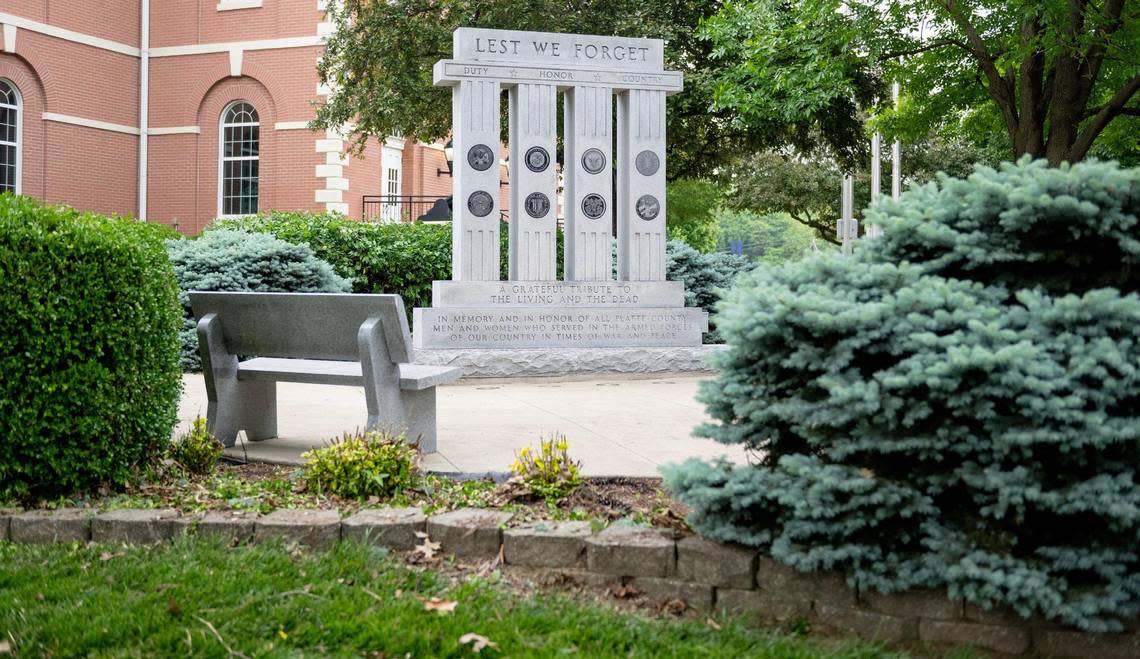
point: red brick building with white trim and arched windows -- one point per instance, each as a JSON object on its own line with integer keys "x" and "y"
{"x": 206, "y": 103}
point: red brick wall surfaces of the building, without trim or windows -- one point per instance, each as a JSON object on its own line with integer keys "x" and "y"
{"x": 97, "y": 169}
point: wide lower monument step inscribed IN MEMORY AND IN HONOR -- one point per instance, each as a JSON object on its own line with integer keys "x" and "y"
{"x": 583, "y": 328}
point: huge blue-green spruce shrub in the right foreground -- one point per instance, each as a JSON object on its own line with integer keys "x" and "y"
{"x": 956, "y": 406}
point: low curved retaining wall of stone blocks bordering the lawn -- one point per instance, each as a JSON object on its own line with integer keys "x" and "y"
{"x": 704, "y": 574}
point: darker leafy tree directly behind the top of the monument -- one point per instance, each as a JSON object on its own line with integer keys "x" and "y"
{"x": 379, "y": 63}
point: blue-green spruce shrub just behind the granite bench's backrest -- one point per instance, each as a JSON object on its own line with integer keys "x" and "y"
{"x": 241, "y": 262}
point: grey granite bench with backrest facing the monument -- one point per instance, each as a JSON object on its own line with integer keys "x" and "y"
{"x": 316, "y": 339}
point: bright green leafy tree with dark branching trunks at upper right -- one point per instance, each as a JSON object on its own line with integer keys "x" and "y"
{"x": 1053, "y": 76}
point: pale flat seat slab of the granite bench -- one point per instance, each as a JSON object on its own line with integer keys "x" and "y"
{"x": 413, "y": 377}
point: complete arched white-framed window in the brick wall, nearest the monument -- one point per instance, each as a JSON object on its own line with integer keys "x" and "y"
{"x": 238, "y": 191}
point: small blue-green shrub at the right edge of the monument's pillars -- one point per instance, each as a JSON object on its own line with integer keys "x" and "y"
{"x": 706, "y": 278}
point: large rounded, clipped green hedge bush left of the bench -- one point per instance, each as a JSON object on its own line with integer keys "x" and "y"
{"x": 88, "y": 349}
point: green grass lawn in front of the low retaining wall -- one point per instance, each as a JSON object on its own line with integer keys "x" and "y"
{"x": 199, "y": 598}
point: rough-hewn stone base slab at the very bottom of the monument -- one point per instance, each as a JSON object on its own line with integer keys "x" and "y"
{"x": 572, "y": 362}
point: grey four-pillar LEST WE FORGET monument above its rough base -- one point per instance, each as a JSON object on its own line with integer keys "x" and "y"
{"x": 533, "y": 308}
